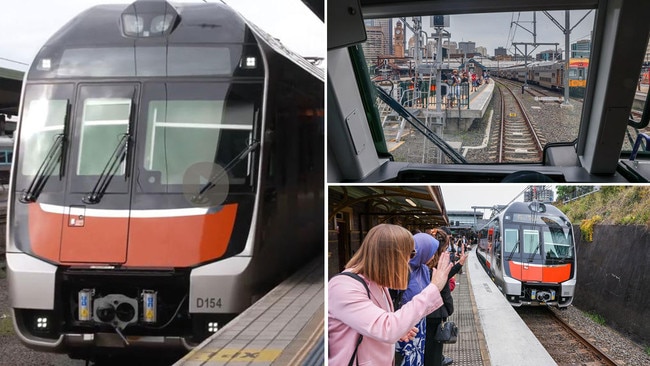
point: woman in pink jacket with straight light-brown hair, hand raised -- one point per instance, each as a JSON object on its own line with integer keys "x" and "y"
{"x": 383, "y": 262}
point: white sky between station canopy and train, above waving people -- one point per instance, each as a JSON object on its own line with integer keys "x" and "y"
{"x": 463, "y": 197}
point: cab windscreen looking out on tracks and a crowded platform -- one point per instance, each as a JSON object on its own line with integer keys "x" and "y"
{"x": 453, "y": 72}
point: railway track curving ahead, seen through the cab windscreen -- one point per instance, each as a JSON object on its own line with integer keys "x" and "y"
{"x": 518, "y": 142}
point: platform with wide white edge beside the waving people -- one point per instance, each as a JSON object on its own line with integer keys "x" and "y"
{"x": 490, "y": 331}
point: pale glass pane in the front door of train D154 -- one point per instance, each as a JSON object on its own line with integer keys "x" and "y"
{"x": 104, "y": 122}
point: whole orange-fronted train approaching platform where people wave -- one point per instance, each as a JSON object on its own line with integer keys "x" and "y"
{"x": 528, "y": 250}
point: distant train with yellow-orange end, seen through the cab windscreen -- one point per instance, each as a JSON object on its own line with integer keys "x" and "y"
{"x": 550, "y": 74}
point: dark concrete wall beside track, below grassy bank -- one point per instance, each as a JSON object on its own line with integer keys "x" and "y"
{"x": 614, "y": 277}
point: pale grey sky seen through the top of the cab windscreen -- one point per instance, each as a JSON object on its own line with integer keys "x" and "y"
{"x": 494, "y": 30}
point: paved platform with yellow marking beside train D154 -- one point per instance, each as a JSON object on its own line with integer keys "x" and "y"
{"x": 285, "y": 327}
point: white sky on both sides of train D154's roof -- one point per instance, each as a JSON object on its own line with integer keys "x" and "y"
{"x": 27, "y": 24}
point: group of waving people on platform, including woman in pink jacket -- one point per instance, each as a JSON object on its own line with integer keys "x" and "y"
{"x": 392, "y": 297}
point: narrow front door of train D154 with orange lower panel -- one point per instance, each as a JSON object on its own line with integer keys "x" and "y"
{"x": 97, "y": 202}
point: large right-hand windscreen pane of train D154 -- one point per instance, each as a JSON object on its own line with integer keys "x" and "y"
{"x": 196, "y": 123}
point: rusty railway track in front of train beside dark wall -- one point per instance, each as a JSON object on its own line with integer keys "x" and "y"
{"x": 565, "y": 345}
